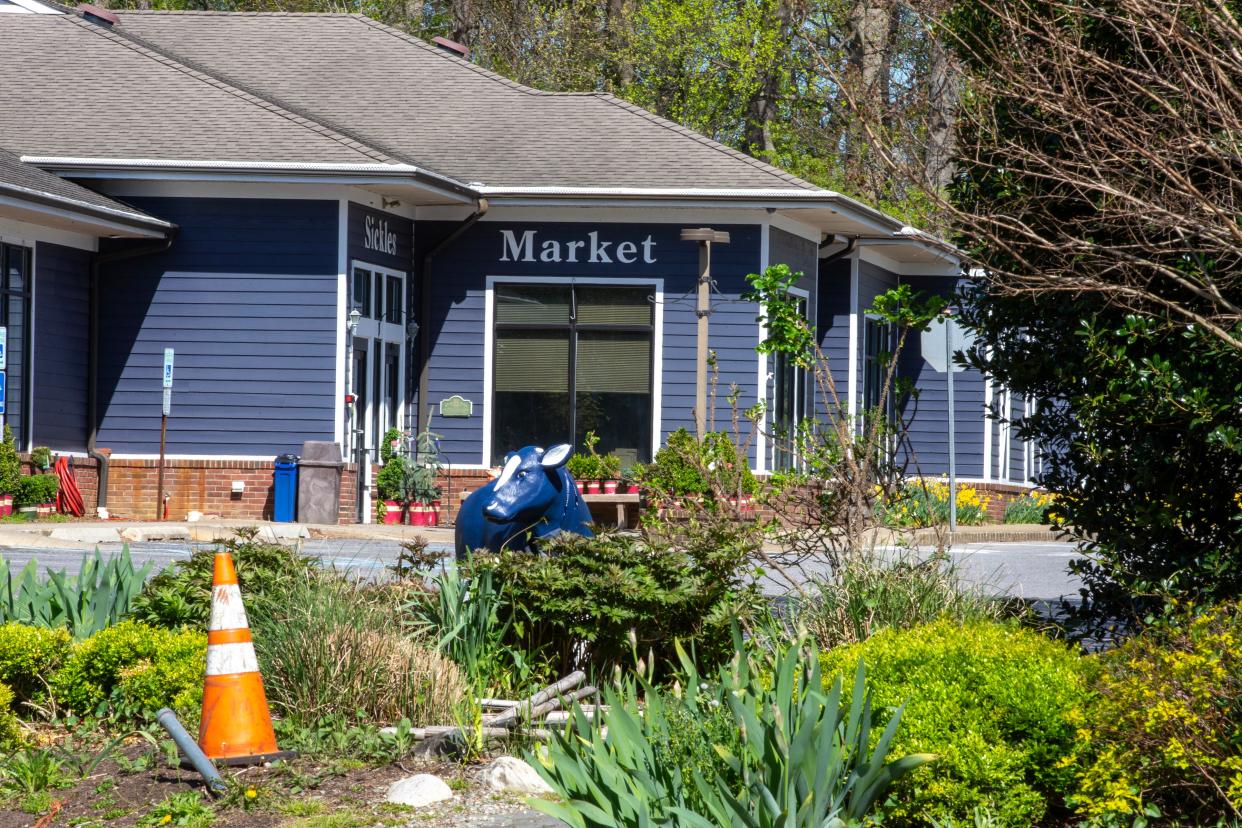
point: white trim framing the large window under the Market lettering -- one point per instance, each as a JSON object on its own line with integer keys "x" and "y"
{"x": 658, "y": 344}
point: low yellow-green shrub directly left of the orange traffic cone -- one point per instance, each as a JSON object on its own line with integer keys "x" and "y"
{"x": 132, "y": 668}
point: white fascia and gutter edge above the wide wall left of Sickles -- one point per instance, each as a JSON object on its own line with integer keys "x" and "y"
{"x": 243, "y": 171}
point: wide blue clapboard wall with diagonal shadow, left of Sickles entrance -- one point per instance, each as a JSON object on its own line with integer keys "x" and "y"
{"x": 248, "y": 299}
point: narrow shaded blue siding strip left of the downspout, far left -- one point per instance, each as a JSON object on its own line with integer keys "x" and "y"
{"x": 61, "y": 331}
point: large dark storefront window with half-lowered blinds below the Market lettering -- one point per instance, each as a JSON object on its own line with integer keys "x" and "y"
{"x": 572, "y": 359}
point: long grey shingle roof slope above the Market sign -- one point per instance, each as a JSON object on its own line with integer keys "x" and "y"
{"x": 414, "y": 101}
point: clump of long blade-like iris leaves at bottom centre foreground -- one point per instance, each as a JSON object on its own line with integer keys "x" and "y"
{"x": 792, "y": 755}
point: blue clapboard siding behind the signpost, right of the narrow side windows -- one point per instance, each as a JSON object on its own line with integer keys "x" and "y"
{"x": 930, "y": 413}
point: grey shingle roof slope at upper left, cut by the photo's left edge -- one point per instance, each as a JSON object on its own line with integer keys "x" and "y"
{"x": 79, "y": 90}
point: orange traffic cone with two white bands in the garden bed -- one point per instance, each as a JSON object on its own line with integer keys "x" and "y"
{"x": 237, "y": 726}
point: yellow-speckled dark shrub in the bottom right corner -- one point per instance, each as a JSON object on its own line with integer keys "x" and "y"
{"x": 1164, "y": 728}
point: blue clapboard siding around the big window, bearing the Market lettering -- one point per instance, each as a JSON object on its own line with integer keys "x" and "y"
{"x": 458, "y": 318}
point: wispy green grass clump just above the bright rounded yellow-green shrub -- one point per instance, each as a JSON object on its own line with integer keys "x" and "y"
{"x": 876, "y": 593}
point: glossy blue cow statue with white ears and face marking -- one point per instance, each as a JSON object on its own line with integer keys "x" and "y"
{"x": 533, "y": 498}
